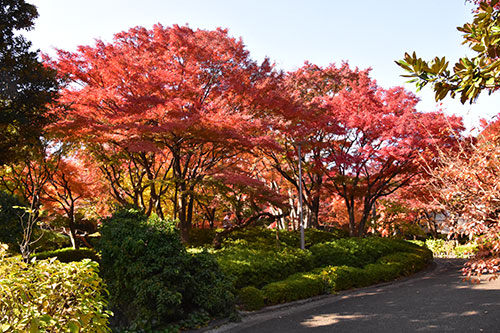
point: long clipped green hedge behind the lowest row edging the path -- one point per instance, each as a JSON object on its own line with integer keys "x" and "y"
{"x": 252, "y": 265}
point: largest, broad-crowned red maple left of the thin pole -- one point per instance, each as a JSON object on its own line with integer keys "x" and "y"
{"x": 174, "y": 98}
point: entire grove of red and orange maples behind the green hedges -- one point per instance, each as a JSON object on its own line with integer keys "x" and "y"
{"x": 183, "y": 124}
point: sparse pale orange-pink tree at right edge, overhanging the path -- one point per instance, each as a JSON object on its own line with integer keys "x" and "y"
{"x": 468, "y": 189}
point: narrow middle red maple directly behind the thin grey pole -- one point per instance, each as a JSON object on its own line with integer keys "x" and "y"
{"x": 307, "y": 121}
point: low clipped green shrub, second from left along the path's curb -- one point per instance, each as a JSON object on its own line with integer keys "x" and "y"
{"x": 295, "y": 287}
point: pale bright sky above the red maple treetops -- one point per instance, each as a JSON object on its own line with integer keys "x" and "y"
{"x": 364, "y": 33}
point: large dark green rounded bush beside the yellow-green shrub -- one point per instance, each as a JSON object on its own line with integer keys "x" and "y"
{"x": 151, "y": 277}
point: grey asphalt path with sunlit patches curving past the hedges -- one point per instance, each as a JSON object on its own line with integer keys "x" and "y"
{"x": 436, "y": 300}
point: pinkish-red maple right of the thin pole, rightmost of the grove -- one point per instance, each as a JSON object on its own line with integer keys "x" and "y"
{"x": 382, "y": 140}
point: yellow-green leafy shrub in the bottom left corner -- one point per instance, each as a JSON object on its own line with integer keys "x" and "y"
{"x": 50, "y": 296}
